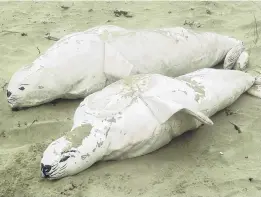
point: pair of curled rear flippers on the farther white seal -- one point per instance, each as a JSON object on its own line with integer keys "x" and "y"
{"x": 236, "y": 58}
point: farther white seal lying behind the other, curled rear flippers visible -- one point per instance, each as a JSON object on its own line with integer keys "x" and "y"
{"x": 84, "y": 62}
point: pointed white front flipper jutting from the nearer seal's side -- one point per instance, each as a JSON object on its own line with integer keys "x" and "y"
{"x": 164, "y": 109}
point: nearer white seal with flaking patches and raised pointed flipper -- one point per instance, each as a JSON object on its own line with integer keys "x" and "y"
{"x": 140, "y": 114}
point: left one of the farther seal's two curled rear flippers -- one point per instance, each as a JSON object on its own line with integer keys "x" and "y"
{"x": 233, "y": 55}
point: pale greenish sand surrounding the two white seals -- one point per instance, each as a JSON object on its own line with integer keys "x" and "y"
{"x": 192, "y": 165}
